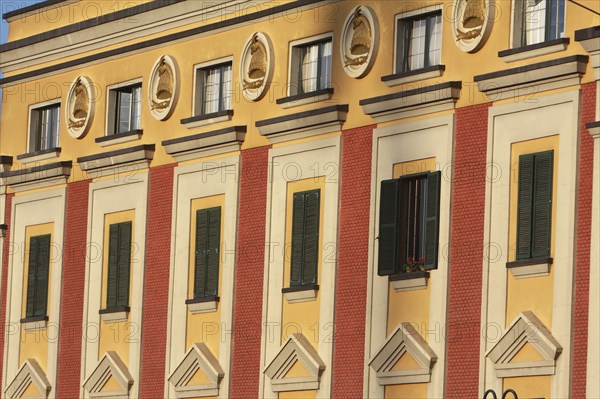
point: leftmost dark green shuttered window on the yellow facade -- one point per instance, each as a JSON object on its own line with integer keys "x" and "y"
{"x": 37, "y": 276}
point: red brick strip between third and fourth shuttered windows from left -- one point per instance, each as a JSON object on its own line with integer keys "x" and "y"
{"x": 247, "y": 307}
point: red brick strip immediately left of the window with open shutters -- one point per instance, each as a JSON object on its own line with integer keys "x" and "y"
{"x": 353, "y": 262}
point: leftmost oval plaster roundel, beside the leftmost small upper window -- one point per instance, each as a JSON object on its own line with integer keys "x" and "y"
{"x": 79, "y": 111}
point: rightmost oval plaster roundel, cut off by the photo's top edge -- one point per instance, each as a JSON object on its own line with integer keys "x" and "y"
{"x": 472, "y": 22}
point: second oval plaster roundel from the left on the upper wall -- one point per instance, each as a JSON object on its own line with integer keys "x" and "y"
{"x": 163, "y": 89}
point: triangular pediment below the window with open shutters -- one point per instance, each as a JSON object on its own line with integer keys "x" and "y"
{"x": 404, "y": 358}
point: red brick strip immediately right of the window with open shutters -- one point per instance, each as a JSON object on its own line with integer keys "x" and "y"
{"x": 466, "y": 252}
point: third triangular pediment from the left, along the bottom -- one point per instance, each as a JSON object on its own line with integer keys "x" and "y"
{"x": 198, "y": 374}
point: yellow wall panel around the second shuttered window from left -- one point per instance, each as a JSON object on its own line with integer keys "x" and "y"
{"x": 117, "y": 336}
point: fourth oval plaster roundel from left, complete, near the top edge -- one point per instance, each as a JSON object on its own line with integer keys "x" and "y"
{"x": 360, "y": 40}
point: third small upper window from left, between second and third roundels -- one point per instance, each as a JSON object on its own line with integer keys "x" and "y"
{"x": 213, "y": 91}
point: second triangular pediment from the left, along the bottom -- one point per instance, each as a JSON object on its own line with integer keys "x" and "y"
{"x": 110, "y": 378}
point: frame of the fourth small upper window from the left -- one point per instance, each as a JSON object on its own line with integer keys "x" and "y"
{"x": 294, "y": 85}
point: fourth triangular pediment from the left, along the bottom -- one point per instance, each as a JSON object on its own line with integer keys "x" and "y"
{"x": 296, "y": 367}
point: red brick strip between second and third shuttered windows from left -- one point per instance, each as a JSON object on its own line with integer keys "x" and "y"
{"x": 156, "y": 284}
